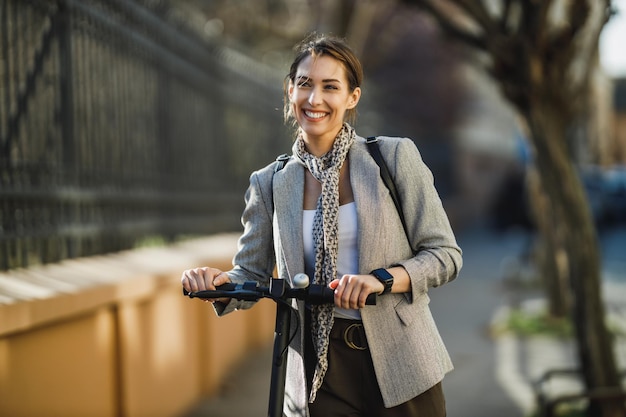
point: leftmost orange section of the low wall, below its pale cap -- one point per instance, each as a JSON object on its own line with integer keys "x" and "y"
{"x": 63, "y": 369}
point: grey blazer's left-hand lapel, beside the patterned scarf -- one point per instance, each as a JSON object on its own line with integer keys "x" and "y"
{"x": 288, "y": 193}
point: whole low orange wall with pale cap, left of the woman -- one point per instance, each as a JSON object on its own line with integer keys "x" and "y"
{"x": 113, "y": 335}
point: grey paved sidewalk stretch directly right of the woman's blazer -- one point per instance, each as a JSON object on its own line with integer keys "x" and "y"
{"x": 463, "y": 310}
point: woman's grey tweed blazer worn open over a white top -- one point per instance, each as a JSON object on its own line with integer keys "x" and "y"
{"x": 407, "y": 351}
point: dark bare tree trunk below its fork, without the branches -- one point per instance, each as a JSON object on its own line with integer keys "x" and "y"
{"x": 573, "y": 216}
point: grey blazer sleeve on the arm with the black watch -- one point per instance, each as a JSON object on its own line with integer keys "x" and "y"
{"x": 438, "y": 258}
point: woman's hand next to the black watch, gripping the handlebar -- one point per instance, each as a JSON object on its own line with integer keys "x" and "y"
{"x": 351, "y": 291}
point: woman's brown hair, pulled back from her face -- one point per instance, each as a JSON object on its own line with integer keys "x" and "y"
{"x": 317, "y": 45}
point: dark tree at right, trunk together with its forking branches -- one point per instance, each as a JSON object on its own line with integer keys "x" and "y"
{"x": 542, "y": 54}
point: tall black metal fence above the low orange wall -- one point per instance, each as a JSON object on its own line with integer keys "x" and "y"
{"x": 117, "y": 124}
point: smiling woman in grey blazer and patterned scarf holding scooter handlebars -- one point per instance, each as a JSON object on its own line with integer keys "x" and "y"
{"x": 328, "y": 213}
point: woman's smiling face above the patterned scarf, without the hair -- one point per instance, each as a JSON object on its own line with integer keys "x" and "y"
{"x": 320, "y": 95}
